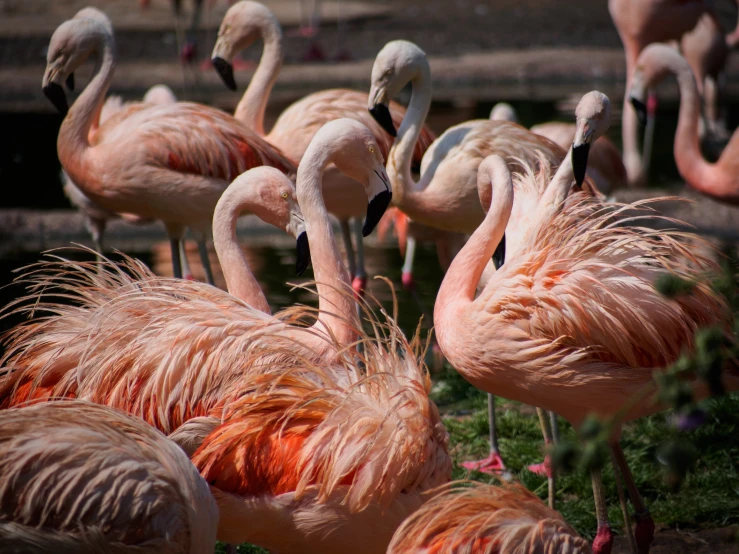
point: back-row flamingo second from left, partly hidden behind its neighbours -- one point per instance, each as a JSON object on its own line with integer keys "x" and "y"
{"x": 243, "y": 23}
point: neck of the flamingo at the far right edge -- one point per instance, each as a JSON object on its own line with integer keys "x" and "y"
{"x": 688, "y": 156}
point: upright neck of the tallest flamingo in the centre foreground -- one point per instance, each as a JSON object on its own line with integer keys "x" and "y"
{"x": 337, "y": 308}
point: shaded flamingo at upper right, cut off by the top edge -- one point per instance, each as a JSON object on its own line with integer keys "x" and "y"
{"x": 640, "y": 23}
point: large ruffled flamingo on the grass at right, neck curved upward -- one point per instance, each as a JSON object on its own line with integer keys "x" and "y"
{"x": 572, "y": 321}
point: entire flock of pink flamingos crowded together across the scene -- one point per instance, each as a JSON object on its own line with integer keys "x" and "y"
{"x": 143, "y": 413}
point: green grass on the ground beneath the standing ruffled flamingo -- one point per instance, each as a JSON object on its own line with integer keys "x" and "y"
{"x": 709, "y": 496}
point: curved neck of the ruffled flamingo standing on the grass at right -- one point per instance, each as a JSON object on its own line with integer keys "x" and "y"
{"x": 463, "y": 275}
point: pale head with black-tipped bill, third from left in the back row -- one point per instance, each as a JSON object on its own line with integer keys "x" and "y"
{"x": 397, "y": 64}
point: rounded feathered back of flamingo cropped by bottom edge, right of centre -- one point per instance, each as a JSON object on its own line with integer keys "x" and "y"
{"x": 486, "y": 519}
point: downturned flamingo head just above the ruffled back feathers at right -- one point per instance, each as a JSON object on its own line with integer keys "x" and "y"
{"x": 593, "y": 118}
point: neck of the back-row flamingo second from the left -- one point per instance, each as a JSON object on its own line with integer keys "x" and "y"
{"x": 253, "y": 104}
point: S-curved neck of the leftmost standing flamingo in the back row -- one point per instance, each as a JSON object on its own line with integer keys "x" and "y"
{"x": 73, "y": 141}
